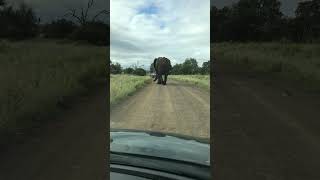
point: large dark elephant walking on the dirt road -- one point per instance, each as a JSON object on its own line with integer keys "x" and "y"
{"x": 162, "y": 66}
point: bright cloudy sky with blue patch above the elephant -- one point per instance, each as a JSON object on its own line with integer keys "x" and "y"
{"x": 143, "y": 30}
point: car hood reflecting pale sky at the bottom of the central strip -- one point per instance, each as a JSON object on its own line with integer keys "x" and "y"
{"x": 161, "y": 145}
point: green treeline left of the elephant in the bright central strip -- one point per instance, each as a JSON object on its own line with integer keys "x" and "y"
{"x": 115, "y": 68}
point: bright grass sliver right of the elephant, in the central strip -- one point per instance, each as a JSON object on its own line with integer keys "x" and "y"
{"x": 202, "y": 81}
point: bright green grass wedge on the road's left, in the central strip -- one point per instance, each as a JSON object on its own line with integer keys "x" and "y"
{"x": 122, "y": 86}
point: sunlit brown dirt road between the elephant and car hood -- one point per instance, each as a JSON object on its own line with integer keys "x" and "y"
{"x": 176, "y": 108}
